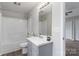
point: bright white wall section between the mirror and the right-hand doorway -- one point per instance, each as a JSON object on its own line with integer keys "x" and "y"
{"x": 58, "y": 20}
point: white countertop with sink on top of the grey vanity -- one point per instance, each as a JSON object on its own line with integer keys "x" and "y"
{"x": 39, "y": 41}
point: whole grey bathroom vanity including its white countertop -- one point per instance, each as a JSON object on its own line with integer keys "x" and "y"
{"x": 39, "y": 47}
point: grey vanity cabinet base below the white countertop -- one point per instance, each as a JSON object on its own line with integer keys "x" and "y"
{"x": 43, "y": 50}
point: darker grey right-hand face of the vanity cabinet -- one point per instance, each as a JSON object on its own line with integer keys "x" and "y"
{"x": 46, "y": 50}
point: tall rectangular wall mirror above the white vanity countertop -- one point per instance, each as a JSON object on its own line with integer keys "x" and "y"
{"x": 45, "y": 20}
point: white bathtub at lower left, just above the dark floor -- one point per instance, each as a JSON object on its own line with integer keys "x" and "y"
{"x": 9, "y": 47}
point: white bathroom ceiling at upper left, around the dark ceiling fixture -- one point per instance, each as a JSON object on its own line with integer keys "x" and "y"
{"x": 23, "y": 8}
